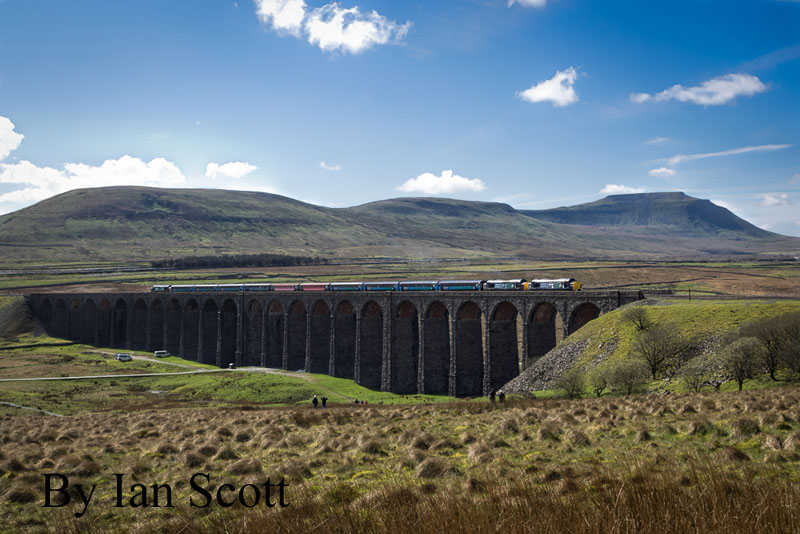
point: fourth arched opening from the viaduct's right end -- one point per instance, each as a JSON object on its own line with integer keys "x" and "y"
{"x": 469, "y": 350}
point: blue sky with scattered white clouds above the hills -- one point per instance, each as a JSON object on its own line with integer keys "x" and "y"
{"x": 535, "y": 103}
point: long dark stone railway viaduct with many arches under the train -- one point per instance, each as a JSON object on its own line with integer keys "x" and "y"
{"x": 456, "y": 343}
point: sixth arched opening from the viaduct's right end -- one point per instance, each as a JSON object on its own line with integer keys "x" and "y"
{"x": 405, "y": 349}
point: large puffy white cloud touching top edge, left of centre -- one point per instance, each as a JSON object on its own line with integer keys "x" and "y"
{"x": 331, "y": 27}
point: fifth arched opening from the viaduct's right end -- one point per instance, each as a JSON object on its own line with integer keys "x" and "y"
{"x": 436, "y": 364}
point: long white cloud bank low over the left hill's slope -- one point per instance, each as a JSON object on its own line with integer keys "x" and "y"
{"x": 43, "y": 182}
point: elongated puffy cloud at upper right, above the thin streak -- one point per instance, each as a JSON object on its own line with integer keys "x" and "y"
{"x": 713, "y": 92}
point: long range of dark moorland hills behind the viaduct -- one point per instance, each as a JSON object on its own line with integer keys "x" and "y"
{"x": 142, "y": 224}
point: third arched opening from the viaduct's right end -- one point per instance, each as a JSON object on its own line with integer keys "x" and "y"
{"x": 504, "y": 345}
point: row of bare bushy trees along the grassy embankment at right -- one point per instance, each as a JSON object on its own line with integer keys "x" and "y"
{"x": 768, "y": 346}
